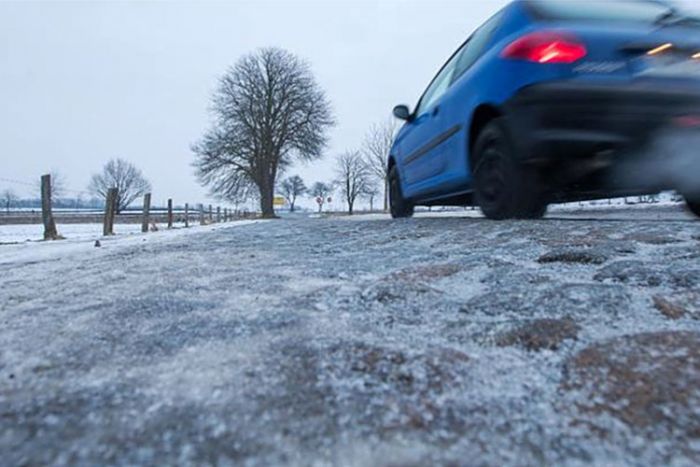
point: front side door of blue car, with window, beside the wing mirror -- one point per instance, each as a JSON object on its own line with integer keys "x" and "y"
{"x": 421, "y": 151}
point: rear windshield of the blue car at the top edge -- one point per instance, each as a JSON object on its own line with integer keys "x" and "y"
{"x": 645, "y": 11}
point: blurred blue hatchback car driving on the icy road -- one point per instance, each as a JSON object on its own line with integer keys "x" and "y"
{"x": 554, "y": 101}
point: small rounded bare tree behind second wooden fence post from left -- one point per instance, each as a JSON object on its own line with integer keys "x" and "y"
{"x": 125, "y": 177}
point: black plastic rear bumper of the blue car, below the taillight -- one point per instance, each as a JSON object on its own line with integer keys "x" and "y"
{"x": 561, "y": 119}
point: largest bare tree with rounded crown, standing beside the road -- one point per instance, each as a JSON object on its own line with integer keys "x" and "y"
{"x": 268, "y": 111}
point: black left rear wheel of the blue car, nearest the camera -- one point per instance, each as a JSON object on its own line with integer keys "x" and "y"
{"x": 505, "y": 188}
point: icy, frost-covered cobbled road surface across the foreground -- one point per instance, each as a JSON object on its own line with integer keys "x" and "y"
{"x": 436, "y": 340}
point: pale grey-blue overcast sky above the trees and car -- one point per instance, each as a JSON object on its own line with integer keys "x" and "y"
{"x": 83, "y": 82}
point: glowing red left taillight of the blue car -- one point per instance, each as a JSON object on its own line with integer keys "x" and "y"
{"x": 546, "y": 47}
